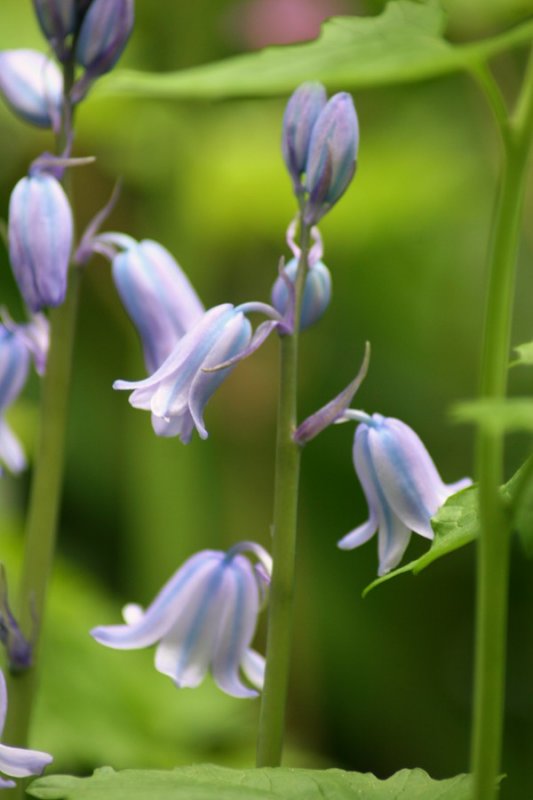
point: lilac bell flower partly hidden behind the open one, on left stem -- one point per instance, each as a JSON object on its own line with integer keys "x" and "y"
{"x": 158, "y": 297}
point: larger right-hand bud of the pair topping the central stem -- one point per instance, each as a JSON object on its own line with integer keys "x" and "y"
{"x": 332, "y": 156}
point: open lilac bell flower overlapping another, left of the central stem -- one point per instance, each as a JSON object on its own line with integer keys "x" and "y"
{"x": 178, "y": 391}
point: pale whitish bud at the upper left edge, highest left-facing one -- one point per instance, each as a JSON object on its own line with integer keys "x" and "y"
{"x": 32, "y": 85}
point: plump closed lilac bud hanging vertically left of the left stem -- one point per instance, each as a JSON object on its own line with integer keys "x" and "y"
{"x": 40, "y": 239}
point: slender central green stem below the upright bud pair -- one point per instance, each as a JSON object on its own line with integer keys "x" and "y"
{"x": 274, "y": 699}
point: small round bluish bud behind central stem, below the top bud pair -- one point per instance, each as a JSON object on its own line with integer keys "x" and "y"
{"x": 316, "y": 294}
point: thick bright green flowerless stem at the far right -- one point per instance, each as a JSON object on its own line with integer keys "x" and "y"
{"x": 494, "y": 542}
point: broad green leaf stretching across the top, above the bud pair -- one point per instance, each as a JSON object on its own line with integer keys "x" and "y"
{"x": 404, "y": 43}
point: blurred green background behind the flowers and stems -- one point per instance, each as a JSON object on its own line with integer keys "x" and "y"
{"x": 378, "y": 684}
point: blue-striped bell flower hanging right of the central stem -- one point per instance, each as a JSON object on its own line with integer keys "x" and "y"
{"x": 402, "y": 486}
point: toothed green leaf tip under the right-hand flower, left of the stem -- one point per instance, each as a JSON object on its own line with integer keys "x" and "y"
{"x": 455, "y": 524}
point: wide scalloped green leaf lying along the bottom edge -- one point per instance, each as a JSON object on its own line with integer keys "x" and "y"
{"x": 207, "y": 782}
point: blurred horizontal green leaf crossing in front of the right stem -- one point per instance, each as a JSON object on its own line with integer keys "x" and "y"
{"x": 505, "y": 415}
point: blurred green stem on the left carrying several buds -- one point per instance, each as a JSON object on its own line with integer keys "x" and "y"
{"x": 47, "y": 480}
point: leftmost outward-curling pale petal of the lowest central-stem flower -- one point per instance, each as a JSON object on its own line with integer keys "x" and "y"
{"x": 161, "y": 615}
